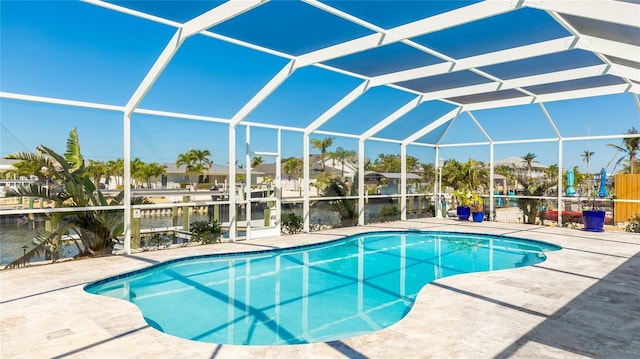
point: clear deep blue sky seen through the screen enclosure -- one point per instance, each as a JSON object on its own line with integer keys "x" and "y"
{"x": 77, "y": 51}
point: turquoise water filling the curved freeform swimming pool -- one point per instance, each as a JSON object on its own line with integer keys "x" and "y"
{"x": 315, "y": 293}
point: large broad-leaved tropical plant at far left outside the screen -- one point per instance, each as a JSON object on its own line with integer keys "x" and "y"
{"x": 97, "y": 231}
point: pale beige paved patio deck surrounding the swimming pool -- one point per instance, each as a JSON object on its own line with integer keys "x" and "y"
{"x": 583, "y": 301}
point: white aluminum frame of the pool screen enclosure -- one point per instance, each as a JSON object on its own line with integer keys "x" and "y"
{"x": 622, "y": 13}
